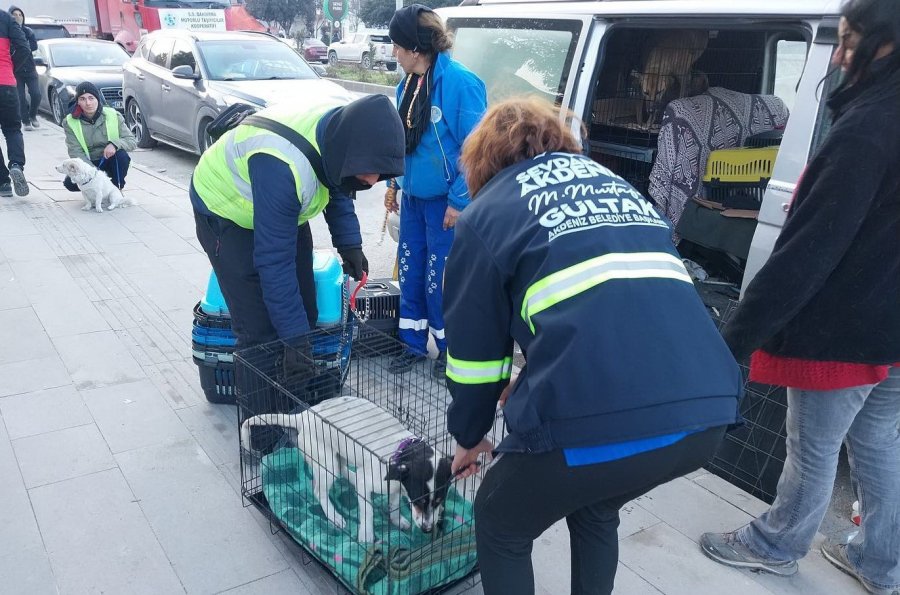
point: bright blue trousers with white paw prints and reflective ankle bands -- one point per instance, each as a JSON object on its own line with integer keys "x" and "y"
{"x": 424, "y": 246}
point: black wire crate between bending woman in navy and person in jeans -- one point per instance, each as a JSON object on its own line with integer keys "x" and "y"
{"x": 752, "y": 455}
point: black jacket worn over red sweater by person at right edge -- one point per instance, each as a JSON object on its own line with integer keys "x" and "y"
{"x": 831, "y": 289}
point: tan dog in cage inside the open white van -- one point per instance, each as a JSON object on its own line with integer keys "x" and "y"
{"x": 666, "y": 71}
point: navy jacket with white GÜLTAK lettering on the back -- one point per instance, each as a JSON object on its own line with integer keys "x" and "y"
{"x": 565, "y": 258}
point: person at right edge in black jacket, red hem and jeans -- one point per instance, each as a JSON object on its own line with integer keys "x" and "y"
{"x": 822, "y": 318}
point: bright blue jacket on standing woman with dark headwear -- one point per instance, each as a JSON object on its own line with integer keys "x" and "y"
{"x": 458, "y": 101}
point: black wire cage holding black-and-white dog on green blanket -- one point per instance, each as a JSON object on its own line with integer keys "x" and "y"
{"x": 361, "y": 480}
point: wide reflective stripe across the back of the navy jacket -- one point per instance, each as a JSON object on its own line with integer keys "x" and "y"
{"x": 578, "y": 278}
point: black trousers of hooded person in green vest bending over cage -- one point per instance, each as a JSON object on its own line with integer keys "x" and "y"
{"x": 230, "y": 251}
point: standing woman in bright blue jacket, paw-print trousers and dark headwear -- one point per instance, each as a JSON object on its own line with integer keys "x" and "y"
{"x": 440, "y": 102}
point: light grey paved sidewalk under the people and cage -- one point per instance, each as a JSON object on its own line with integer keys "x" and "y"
{"x": 118, "y": 477}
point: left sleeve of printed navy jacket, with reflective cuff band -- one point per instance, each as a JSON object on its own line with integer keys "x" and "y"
{"x": 477, "y": 315}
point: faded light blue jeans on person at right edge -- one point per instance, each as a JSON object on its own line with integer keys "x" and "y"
{"x": 868, "y": 419}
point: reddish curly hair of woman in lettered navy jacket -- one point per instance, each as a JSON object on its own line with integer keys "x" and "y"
{"x": 512, "y": 131}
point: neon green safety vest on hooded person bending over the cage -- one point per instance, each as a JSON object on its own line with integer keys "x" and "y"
{"x": 222, "y": 177}
